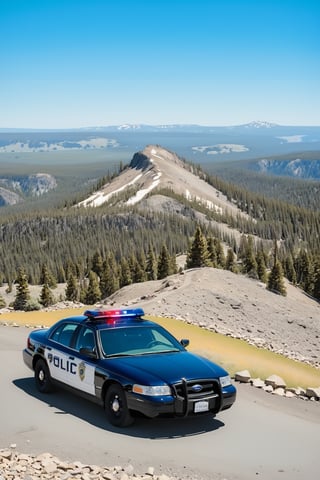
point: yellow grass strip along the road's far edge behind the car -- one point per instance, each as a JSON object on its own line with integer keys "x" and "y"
{"x": 232, "y": 354}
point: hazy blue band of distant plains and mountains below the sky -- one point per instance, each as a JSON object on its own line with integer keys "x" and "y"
{"x": 201, "y": 144}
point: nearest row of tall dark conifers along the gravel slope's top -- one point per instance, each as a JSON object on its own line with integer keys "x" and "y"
{"x": 104, "y": 275}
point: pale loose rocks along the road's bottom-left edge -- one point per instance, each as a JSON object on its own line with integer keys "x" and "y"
{"x": 18, "y": 466}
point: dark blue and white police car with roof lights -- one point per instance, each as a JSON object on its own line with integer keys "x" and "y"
{"x": 129, "y": 365}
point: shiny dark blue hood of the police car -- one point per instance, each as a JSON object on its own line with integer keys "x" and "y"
{"x": 168, "y": 367}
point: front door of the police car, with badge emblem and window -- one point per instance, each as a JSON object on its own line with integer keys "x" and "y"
{"x": 84, "y": 364}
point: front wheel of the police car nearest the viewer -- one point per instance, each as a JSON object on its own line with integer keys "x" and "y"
{"x": 116, "y": 407}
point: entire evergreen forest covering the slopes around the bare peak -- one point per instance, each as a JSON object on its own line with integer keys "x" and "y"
{"x": 96, "y": 251}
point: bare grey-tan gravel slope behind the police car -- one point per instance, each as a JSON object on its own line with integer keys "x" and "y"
{"x": 234, "y": 305}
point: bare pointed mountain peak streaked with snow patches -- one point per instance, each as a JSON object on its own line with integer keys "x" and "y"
{"x": 154, "y": 169}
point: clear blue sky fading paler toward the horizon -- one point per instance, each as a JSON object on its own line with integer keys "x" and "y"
{"x": 77, "y": 63}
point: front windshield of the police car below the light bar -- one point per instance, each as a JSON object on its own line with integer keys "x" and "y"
{"x": 137, "y": 340}
